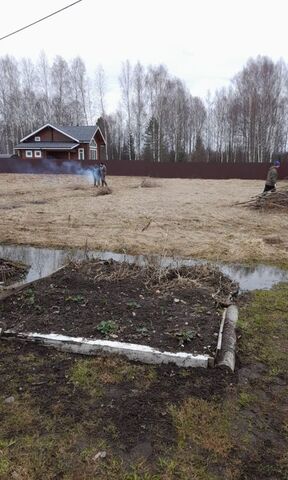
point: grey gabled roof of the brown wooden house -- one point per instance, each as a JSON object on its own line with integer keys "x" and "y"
{"x": 81, "y": 134}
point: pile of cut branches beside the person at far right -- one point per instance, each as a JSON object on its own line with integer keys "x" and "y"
{"x": 268, "y": 201}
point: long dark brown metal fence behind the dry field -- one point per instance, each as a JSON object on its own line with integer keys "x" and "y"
{"x": 141, "y": 168}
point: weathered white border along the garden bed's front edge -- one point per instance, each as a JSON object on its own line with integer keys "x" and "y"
{"x": 132, "y": 351}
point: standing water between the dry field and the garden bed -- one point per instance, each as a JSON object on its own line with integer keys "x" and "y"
{"x": 44, "y": 261}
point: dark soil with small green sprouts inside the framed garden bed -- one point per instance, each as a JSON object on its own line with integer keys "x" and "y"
{"x": 168, "y": 309}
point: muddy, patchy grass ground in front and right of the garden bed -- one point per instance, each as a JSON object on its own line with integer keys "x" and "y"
{"x": 70, "y": 417}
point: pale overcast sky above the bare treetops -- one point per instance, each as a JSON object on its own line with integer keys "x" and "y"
{"x": 203, "y": 42}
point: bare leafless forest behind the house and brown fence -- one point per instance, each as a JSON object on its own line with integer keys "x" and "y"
{"x": 157, "y": 119}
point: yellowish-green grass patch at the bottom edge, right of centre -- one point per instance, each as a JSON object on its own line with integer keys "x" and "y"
{"x": 205, "y": 438}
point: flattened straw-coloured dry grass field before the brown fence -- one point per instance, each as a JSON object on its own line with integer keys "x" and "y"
{"x": 180, "y": 217}
